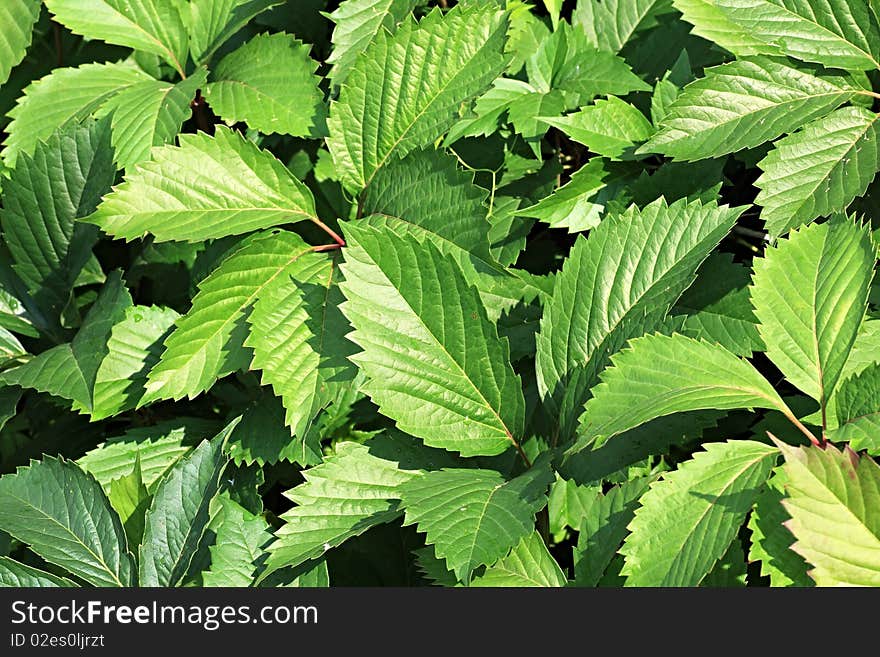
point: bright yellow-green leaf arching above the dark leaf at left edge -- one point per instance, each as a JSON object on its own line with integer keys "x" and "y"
{"x": 64, "y": 94}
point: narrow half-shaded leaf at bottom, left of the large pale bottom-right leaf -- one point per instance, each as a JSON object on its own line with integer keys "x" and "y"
{"x": 603, "y": 527}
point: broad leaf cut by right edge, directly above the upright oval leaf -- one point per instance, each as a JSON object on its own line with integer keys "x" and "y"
{"x": 818, "y": 170}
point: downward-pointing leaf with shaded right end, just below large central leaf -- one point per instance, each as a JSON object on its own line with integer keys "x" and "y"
{"x": 473, "y": 517}
